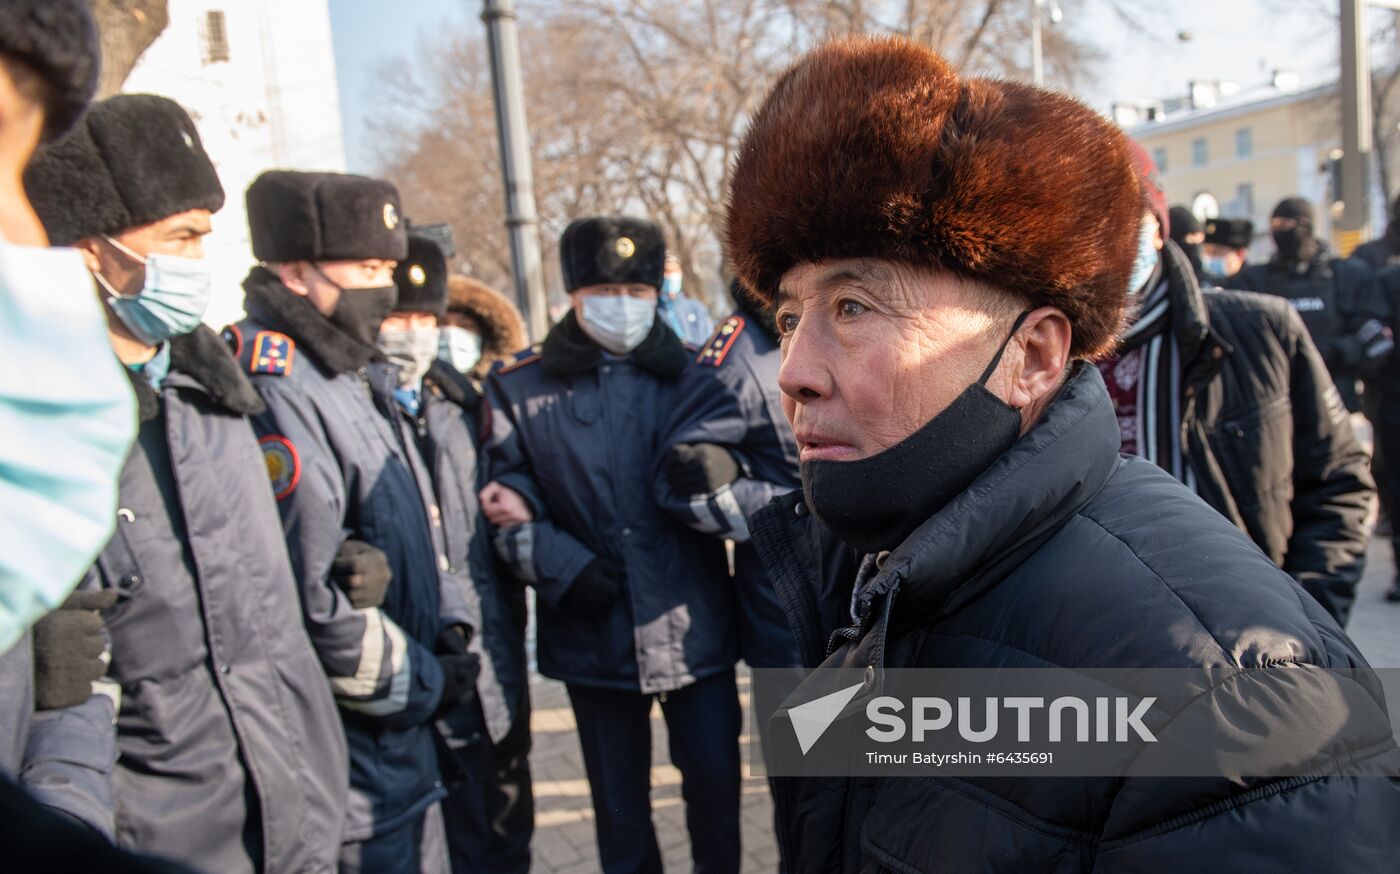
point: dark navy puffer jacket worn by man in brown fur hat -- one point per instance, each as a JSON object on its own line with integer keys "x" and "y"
{"x": 1065, "y": 554}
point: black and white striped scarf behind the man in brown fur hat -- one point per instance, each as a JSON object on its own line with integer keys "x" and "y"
{"x": 1160, "y": 386}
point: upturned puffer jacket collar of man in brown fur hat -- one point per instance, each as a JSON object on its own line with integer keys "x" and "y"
{"x": 1017, "y": 505}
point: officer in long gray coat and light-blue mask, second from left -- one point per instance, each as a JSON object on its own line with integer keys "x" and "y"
{"x": 230, "y": 751}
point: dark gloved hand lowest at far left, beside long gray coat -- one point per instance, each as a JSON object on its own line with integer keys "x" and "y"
{"x": 68, "y": 651}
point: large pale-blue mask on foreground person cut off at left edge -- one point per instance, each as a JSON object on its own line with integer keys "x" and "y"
{"x": 68, "y": 418}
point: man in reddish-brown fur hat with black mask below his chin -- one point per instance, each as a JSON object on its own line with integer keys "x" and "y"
{"x": 946, "y": 258}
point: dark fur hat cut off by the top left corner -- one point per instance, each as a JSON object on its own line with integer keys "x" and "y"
{"x": 57, "y": 40}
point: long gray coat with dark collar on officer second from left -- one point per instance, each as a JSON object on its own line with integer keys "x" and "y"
{"x": 232, "y": 756}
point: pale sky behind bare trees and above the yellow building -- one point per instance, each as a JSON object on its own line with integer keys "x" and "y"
{"x": 1231, "y": 40}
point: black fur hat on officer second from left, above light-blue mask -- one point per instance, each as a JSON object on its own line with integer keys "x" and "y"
{"x": 134, "y": 159}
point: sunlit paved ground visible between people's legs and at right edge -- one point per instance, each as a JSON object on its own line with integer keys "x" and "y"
{"x": 565, "y": 820}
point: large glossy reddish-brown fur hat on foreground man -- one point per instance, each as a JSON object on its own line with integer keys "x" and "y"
{"x": 877, "y": 149}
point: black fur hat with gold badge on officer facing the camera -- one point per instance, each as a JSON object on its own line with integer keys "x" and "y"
{"x": 612, "y": 250}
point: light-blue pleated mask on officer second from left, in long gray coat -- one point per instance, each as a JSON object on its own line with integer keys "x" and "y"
{"x": 171, "y": 303}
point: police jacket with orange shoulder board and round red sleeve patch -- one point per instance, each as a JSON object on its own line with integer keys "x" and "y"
{"x": 339, "y": 473}
